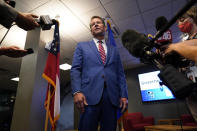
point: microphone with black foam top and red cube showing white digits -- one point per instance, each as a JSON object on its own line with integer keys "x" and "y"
{"x": 166, "y": 38}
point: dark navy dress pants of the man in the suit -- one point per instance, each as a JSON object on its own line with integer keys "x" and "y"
{"x": 104, "y": 113}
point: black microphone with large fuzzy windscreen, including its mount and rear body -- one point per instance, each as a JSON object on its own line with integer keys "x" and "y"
{"x": 139, "y": 45}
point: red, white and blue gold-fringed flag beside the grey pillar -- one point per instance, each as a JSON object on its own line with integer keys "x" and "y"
{"x": 52, "y": 75}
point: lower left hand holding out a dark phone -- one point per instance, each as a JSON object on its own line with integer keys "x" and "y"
{"x": 13, "y": 51}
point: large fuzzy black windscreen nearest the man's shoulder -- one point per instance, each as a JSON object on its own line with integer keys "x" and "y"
{"x": 135, "y": 42}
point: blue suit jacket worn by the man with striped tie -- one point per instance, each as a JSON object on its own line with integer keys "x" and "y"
{"x": 88, "y": 73}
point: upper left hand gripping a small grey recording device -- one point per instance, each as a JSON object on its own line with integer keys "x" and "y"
{"x": 26, "y": 21}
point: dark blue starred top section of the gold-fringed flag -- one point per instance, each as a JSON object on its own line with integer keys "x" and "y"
{"x": 55, "y": 45}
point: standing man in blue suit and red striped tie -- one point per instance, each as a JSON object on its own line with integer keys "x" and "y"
{"x": 98, "y": 81}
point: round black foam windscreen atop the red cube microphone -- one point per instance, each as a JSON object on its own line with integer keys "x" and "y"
{"x": 160, "y": 22}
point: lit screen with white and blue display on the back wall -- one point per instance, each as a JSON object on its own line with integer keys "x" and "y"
{"x": 150, "y": 88}
